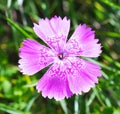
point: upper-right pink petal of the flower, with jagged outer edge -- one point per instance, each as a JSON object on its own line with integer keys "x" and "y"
{"x": 83, "y": 43}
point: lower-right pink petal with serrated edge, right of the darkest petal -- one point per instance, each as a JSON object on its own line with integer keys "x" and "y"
{"x": 82, "y": 75}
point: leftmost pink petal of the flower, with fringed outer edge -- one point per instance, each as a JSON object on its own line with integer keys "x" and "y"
{"x": 34, "y": 57}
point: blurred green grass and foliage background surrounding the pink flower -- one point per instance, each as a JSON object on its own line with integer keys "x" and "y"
{"x": 17, "y": 92}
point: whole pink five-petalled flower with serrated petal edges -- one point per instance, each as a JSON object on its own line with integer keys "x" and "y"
{"x": 68, "y": 73}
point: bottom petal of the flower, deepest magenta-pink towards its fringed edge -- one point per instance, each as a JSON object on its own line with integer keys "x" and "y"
{"x": 54, "y": 83}
